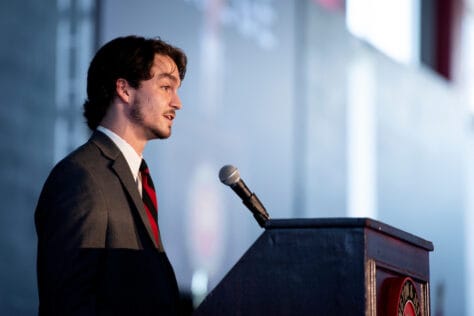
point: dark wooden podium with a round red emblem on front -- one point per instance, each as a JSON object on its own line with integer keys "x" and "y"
{"x": 332, "y": 266}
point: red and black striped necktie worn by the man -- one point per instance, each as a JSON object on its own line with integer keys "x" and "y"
{"x": 150, "y": 202}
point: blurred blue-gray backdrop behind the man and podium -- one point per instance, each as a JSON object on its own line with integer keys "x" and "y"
{"x": 329, "y": 108}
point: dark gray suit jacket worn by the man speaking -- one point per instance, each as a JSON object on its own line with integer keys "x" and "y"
{"x": 96, "y": 251}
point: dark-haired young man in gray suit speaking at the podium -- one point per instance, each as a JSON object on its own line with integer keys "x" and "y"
{"x": 99, "y": 246}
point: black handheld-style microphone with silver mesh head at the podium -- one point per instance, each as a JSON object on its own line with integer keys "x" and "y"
{"x": 229, "y": 175}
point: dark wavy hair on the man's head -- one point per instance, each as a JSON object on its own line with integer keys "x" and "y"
{"x": 129, "y": 58}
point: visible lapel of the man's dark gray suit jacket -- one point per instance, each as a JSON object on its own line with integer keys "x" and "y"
{"x": 120, "y": 167}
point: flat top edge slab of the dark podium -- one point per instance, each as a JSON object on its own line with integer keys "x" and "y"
{"x": 346, "y": 222}
